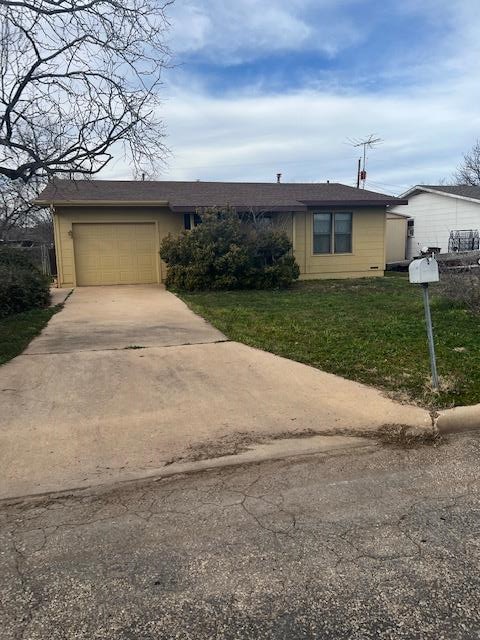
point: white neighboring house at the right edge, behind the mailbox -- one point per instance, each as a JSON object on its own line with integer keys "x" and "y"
{"x": 445, "y": 217}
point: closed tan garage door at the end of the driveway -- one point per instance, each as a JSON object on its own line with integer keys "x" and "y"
{"x": 115, "y": 253}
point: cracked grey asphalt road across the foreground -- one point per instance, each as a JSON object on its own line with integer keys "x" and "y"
{"x": 378, "y": 542}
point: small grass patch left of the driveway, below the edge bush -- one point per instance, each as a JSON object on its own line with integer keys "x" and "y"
{"x": 18, "y": 330}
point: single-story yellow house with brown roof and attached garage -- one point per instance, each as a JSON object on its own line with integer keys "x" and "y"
{"x": 109, "y": 232}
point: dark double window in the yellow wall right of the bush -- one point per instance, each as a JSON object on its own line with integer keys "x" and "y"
{"x": 332, "y": 232}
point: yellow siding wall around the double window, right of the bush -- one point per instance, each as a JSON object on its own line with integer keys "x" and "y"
{"x": 368, "y": 248}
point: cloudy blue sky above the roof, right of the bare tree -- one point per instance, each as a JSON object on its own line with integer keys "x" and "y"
{"x": 258, "y": 87}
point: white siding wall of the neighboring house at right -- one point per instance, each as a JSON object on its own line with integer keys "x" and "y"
{"x": 435, "y": 216}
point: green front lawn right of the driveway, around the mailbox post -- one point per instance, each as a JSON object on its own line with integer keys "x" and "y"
{"x": 369, "y": 330}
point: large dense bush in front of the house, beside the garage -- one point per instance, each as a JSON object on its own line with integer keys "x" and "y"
{"x": 224, "y": 252}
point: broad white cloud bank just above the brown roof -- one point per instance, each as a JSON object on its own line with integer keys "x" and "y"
{"x": 303, "y": 134}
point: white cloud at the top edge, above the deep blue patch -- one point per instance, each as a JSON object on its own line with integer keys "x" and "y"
{"x": 235, "y": 32}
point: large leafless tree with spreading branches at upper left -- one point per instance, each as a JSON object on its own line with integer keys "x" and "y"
{"x": 79, "y": 78}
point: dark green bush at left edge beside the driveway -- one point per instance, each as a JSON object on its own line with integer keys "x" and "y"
{"x": 22, "y": 285}
